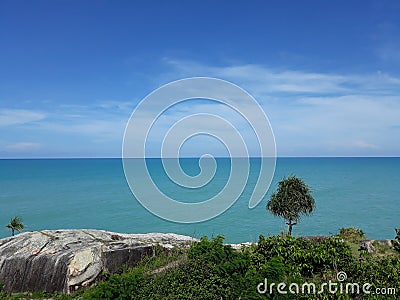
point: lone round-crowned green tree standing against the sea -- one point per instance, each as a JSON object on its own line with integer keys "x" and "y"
{"x": 292, "y": 200}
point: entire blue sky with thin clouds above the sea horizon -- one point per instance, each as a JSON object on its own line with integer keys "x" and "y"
{"x": 326, "y": 73}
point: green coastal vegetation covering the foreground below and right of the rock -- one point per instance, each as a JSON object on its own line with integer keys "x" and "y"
{"x": 210, "y": 269}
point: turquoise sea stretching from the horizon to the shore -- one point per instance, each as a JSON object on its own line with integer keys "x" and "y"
{"x": 93, "y": 193}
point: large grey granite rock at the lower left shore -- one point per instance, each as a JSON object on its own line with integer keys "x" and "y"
{"x": 65, "y": 260}
